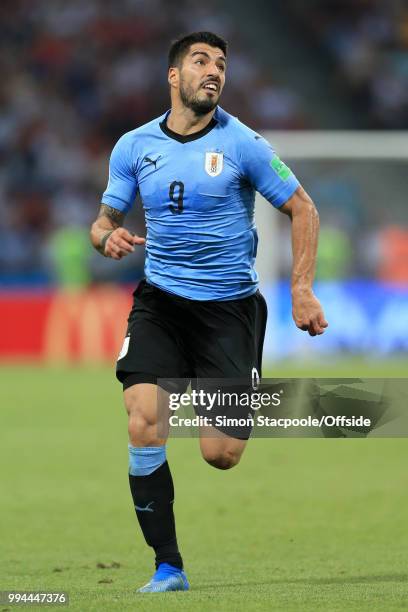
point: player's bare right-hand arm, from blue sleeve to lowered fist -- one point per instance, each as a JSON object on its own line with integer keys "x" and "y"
{"x": 306, "y": 308}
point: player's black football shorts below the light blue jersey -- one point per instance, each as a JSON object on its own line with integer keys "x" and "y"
{"x": 170, "y": 337}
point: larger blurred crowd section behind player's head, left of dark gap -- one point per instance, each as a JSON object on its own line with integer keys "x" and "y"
{"x": 75, "y": 76}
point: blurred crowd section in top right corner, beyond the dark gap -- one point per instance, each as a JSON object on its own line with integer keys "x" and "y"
{"x": 368, "y": 42}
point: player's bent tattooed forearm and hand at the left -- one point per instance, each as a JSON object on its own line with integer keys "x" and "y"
{"x": 109, "y": 237}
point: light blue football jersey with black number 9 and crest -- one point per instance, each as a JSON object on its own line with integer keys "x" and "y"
{"x": 198, "y": 193}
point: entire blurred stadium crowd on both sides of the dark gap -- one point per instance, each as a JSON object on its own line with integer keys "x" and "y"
{"x": 77, "y": 75}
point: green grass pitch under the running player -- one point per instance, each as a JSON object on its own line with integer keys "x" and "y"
{"x": 300, "y": 524}
